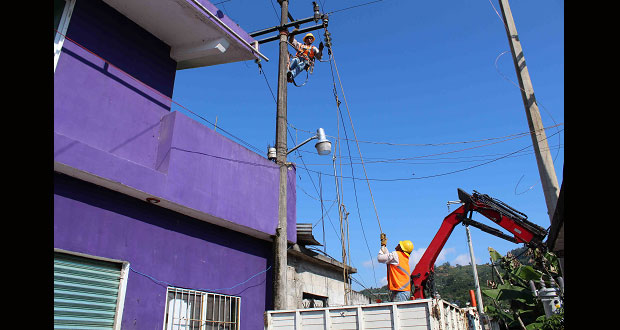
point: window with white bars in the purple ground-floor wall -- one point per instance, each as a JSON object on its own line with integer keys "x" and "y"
{"x": 198, "y": 310}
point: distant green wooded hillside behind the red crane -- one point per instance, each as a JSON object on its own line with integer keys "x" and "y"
{"x": 454, "y": 282}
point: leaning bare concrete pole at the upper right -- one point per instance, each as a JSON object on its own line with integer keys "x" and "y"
{"x": 539, "y": 138}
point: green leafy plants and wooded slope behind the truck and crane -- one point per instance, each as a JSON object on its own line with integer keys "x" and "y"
{"x": 506, "y": 294}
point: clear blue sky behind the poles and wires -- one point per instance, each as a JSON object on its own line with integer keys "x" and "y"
{"x": 421, "y": 80}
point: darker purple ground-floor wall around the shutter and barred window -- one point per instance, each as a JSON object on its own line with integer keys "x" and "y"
{"x": 164, "y": 245}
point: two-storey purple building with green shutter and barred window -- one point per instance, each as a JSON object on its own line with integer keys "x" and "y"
{"x": 159, "y": 221}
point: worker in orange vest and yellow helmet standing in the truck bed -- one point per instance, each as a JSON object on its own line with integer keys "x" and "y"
{"x": 398, "y": 271}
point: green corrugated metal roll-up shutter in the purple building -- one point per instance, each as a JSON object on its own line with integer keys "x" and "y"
{"x": 85, "y": 292}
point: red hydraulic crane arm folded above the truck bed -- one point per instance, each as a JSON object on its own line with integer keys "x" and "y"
{"x": 500, "y": 213}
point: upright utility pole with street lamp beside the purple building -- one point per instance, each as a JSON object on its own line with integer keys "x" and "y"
{"x": 279, "y": 285}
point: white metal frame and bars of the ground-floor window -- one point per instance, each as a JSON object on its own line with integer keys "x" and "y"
{"x": 194, "y": 296}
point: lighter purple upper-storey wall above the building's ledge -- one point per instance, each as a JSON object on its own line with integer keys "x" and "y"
{"x": 115, "y": 127}
